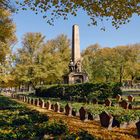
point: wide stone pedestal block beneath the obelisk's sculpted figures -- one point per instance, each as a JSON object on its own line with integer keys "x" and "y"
{"x": 75, "y": 78}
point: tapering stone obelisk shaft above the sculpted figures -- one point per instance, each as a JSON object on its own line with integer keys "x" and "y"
{"x": 76, "y": 56}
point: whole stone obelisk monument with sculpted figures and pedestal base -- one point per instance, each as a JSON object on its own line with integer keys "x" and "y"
{"x": 75, "y": 74}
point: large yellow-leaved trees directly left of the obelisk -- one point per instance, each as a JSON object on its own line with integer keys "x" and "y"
{"x": 39, "y": 61}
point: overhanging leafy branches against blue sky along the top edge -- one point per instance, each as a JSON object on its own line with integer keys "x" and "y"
{"x": 119, "y": 11}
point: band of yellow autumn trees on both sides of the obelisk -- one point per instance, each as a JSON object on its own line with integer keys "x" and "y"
{"x": 40, "y": 62}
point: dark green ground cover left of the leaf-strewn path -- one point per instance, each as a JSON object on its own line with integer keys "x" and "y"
{"x": 18, "y": 122}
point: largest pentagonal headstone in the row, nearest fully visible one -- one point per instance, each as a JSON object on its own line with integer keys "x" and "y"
{"x": 106, "y": 119}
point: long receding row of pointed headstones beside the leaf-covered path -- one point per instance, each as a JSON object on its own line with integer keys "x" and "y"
{"x": 106, "y": 119}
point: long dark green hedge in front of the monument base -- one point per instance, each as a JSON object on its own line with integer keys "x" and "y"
{"x": 88, "y": 90}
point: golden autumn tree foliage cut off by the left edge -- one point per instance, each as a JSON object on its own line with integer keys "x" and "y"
{"x": 7, "y": 39}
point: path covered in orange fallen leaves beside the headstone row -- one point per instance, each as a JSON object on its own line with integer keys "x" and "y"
{"x": 93, "y": 127}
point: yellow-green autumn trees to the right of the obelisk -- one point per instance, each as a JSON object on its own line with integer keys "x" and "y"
{"x": 112, "y": 64}
